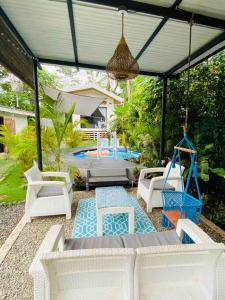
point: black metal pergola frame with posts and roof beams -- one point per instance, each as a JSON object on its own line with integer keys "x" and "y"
{"x": 133, "y": 6}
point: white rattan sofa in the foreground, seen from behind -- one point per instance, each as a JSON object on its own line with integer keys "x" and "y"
{"x": 127, "y": 268}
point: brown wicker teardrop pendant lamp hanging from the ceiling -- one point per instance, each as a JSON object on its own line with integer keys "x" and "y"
{"x": 122, "y": 65}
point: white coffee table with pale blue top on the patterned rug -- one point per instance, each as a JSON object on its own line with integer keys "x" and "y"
{"x": 113, "y": 200}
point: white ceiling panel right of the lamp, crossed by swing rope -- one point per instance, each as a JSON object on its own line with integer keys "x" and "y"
{"x": 171, "y": 45}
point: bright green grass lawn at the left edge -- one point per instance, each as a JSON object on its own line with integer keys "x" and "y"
{"x": 12, "y": 183}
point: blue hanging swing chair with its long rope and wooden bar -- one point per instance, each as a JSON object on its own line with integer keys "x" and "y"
{"x": 180, "y": 198}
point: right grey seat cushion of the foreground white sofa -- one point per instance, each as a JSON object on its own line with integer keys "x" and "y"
{"x": 151, "y": 239}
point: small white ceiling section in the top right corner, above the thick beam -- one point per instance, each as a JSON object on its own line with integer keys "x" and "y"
{"x": 213, "y": 8}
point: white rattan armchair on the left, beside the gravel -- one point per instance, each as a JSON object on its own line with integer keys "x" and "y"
{"x": 46, "y": 198}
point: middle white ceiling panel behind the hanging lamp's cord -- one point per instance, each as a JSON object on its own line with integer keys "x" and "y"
{"x": 99, "y": 32}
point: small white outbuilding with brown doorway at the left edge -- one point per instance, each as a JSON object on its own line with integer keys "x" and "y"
{"x": 15, "y": 119}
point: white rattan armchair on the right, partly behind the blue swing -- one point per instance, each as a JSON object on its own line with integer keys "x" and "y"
{"x": 150, "y": 189}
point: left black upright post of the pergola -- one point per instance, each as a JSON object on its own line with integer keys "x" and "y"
{"x": 37, "y": 114}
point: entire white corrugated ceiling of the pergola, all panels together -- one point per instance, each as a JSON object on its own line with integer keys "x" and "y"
{"x": 45, "y": 27}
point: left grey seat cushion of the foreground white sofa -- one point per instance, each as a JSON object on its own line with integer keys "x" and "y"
{"x": 94, "y": 242}
